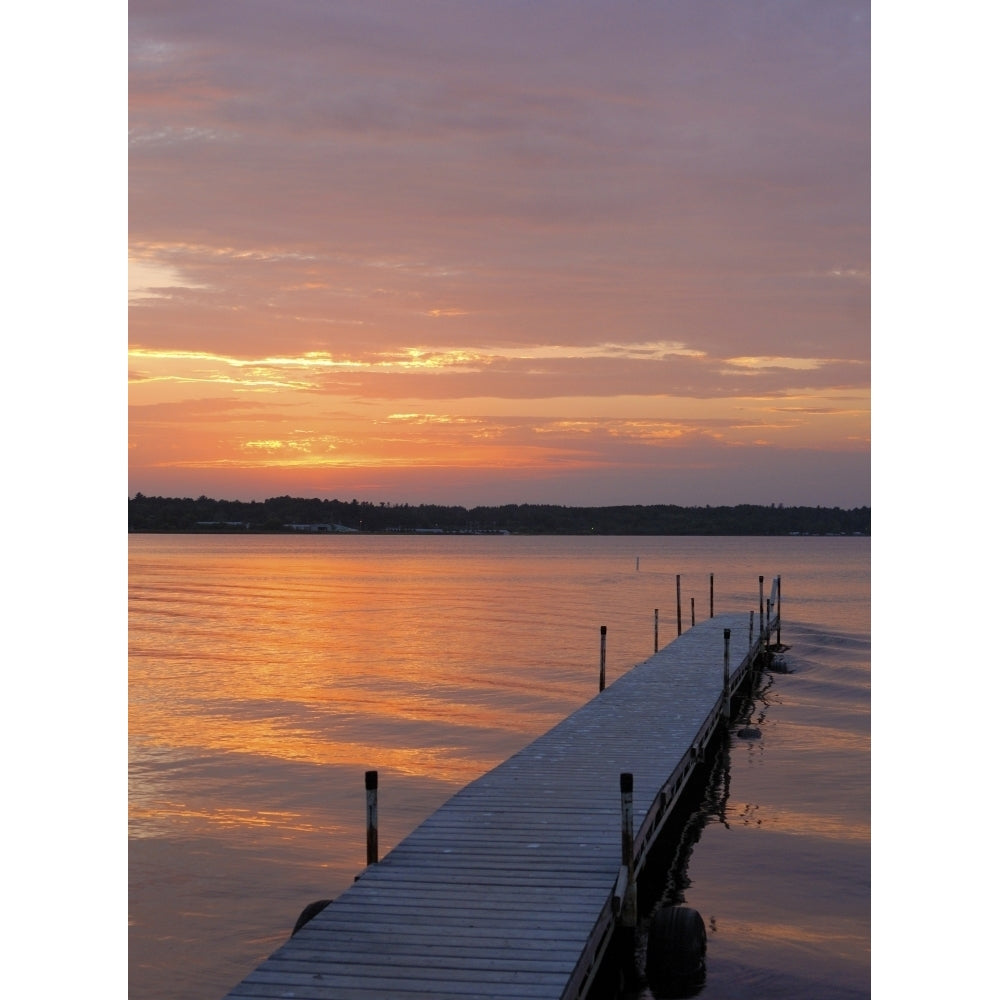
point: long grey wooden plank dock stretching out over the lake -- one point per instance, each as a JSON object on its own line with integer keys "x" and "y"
{"x": 514, "y": 887}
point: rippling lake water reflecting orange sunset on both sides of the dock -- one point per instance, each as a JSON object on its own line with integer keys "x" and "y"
{"x": 267, "y": 674}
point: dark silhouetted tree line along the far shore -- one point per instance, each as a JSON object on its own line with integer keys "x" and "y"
{"x": 291, "y": 514}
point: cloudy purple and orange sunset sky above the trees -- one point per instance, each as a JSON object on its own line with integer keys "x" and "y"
{"x": 494, "y": 252}
